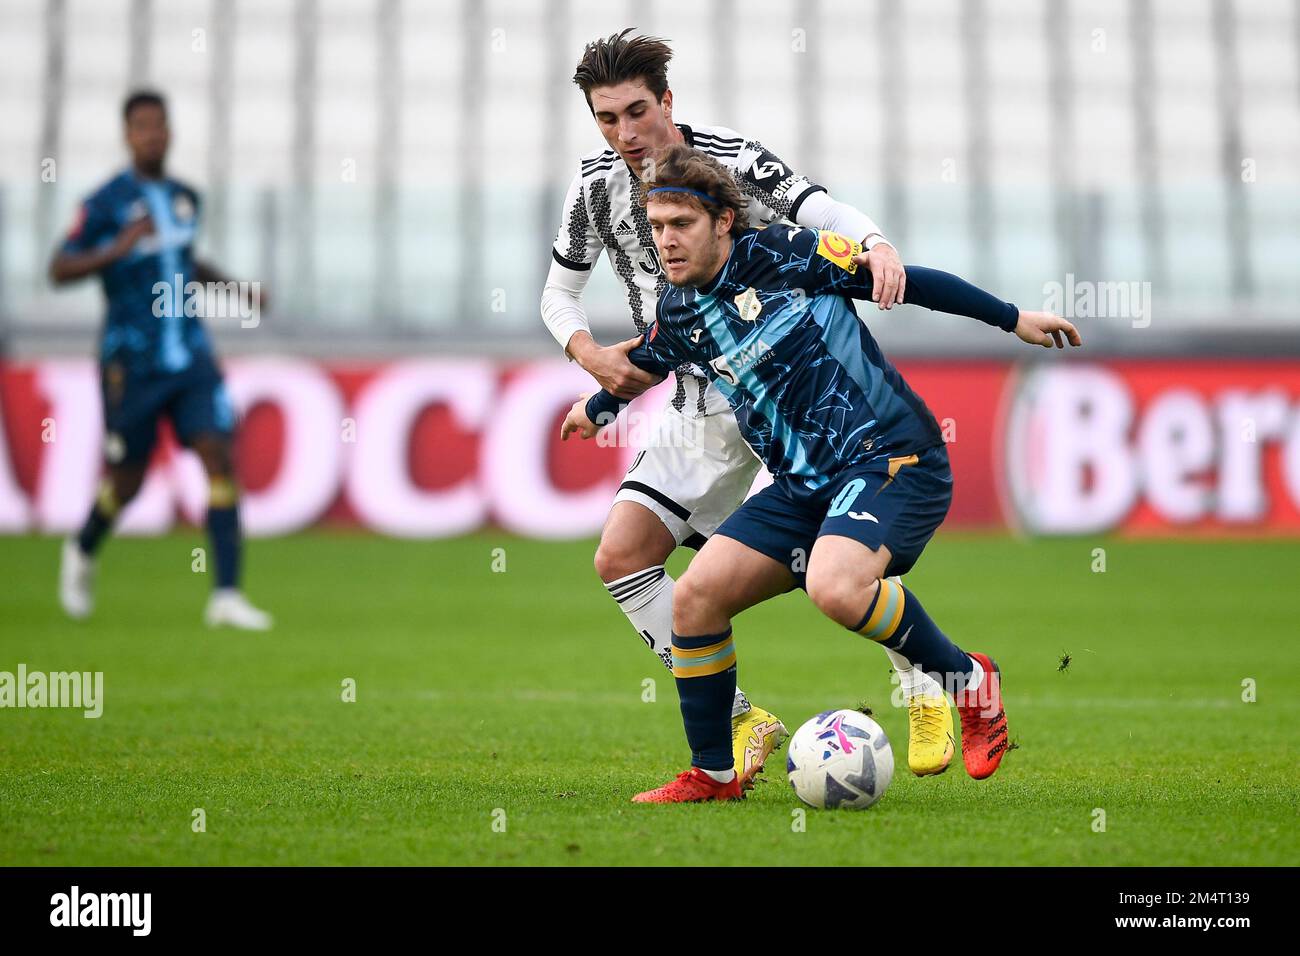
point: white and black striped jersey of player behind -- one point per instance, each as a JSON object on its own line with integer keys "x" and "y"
{"x": 604, "y": 213}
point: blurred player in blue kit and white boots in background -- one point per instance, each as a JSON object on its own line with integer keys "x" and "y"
{"x": 137, "y": 235}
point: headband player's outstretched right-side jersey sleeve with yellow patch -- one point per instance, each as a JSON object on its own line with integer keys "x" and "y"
{"x": 821, "y": 263}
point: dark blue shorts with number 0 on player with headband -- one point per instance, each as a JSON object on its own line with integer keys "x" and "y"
{"x": 899, "y": 504}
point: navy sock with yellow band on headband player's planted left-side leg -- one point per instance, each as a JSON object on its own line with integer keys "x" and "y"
{"x": 705, "y": 671}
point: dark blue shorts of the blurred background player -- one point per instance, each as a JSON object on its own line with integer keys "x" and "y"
{"x": 194, "y": 401}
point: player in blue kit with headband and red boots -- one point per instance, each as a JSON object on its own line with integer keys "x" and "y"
{"x": 861, "y": 477}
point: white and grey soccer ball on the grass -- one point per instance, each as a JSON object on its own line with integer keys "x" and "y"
{"x": 840, "y": 759}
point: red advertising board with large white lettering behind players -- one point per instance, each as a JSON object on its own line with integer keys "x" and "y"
{"x": 430, "y": 448}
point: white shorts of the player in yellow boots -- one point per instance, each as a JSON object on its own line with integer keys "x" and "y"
{"x": 694, "y": 474}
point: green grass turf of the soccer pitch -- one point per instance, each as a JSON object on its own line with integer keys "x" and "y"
{"x": 523, "y": 693}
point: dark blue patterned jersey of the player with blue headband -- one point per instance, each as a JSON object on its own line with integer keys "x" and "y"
{"x": 778, "y": 336}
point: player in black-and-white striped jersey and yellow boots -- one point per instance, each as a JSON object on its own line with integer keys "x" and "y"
{"x": 699, "y": 469}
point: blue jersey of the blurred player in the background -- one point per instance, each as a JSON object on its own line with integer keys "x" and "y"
{"x": 146, "y": 327}
